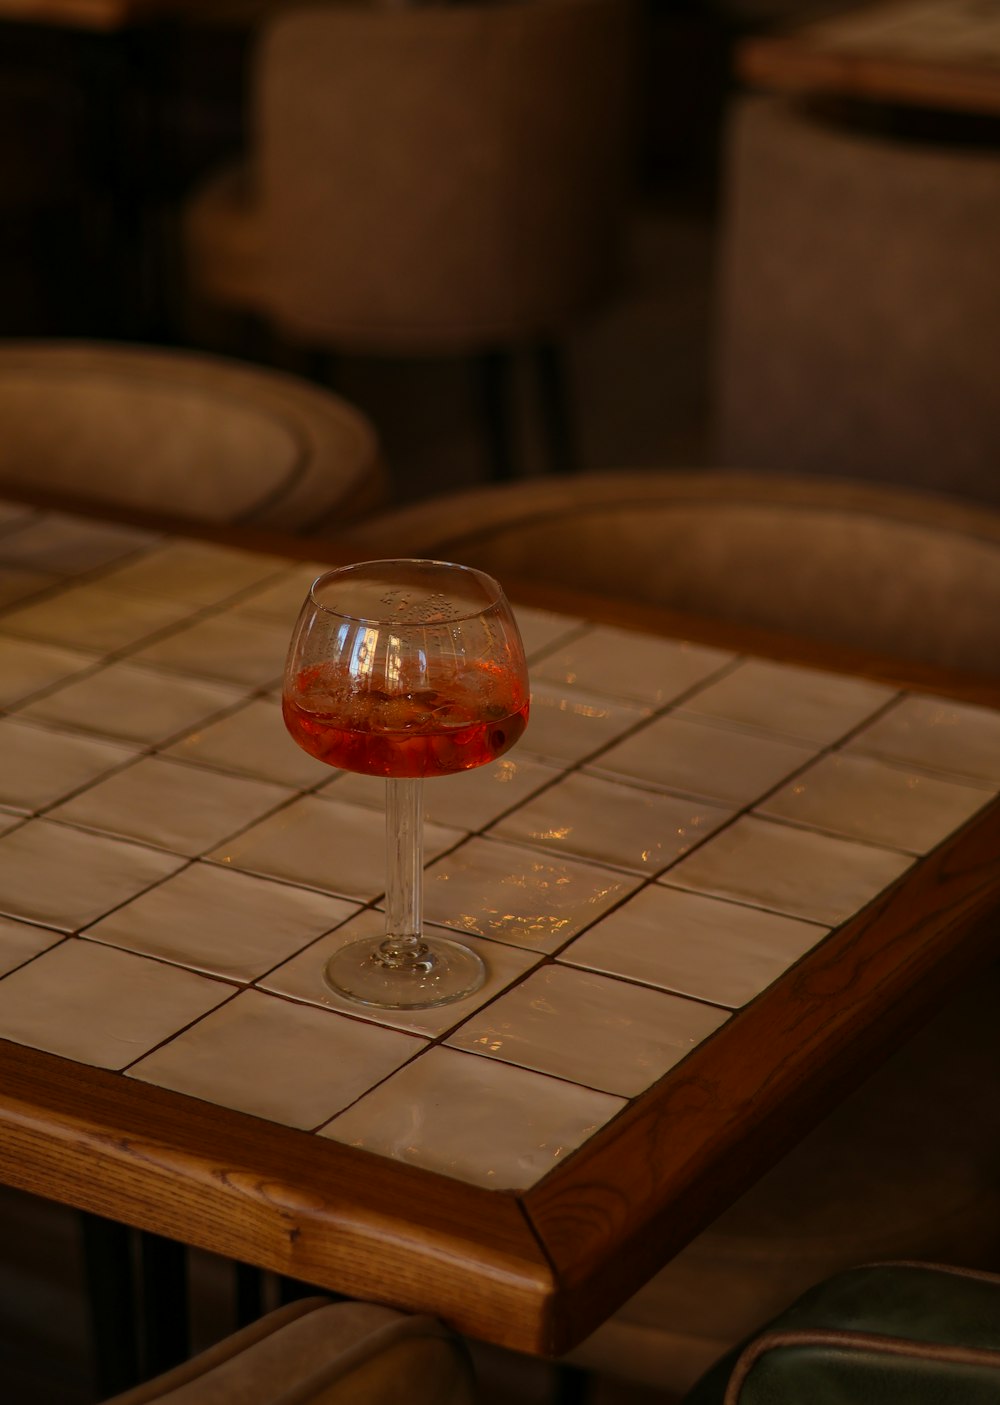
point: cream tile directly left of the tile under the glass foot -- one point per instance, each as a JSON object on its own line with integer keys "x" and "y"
{"x": 223, "y": 924}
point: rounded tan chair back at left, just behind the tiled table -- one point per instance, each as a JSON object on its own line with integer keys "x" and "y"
{"x": 183, "y": 433}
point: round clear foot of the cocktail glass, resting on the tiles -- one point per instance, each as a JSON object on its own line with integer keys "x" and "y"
{"x": 443, "y": 972}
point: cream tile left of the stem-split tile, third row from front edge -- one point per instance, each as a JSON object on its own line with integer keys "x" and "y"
{"x": 183, "y": 809}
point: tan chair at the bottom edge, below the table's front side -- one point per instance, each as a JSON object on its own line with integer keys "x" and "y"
{"x": 317, "y": 1352}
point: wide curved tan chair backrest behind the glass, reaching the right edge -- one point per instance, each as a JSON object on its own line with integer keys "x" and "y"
{"x": 907, "y": 575}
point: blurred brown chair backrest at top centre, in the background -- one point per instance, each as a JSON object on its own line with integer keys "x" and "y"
{"x": 437, "y": 178}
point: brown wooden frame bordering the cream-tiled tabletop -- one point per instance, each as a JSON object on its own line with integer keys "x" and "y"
{"x": 539, "y": 1271}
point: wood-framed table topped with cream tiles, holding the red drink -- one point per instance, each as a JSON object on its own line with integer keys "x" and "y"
{"x": 717, "y": 879}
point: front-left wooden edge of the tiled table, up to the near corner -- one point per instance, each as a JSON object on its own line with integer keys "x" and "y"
{"x": 314, "y": 1210}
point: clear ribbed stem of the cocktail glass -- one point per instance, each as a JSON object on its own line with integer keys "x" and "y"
{"x": 405, "y": 872}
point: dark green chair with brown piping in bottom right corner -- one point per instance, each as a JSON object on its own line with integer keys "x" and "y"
{"x": 904, "y": 1334}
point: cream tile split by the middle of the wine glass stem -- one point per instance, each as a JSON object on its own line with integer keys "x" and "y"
{"x": 324, "y": 844}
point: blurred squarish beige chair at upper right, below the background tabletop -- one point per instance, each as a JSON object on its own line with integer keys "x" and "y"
{"x": 859, "y": 299}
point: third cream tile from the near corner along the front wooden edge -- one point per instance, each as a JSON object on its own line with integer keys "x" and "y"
{"x": 102, "y": 1007}
